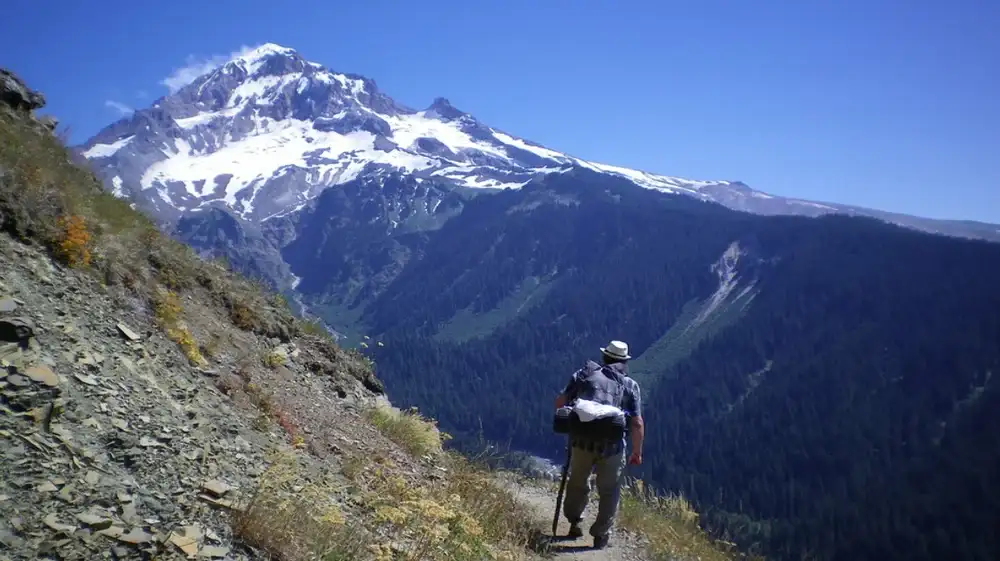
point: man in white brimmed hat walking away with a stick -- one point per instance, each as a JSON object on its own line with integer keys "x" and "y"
{"x": 608, "y": 384}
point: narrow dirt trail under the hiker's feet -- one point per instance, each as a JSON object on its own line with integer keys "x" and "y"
{"x": 542, "y": 501}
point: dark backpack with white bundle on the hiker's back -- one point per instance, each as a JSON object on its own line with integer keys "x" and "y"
{"x": 599, "y": 384}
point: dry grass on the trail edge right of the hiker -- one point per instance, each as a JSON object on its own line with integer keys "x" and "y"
{"x": 670, "y": 525}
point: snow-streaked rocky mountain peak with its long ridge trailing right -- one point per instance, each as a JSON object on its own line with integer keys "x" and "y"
{"x": 266, "y": 132}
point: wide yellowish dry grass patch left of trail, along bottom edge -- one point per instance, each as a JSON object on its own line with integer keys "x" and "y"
{"x": 377, "y": 510}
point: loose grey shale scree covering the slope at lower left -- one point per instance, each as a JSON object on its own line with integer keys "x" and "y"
{"x": 111, "y": 445}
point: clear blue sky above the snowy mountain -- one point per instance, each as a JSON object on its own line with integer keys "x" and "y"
{"x": 890, "y": 104}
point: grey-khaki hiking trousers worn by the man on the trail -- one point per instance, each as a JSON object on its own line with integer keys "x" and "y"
{"x": 609, "y": 473}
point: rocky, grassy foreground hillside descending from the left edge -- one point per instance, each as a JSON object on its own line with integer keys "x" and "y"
{"x": 154, "y": 405}
